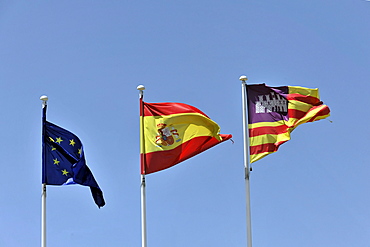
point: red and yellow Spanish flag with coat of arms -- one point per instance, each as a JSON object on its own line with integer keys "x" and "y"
{"x": 172, "y": 133}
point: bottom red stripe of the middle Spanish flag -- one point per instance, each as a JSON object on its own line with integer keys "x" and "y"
{"x": 157, "y": 161}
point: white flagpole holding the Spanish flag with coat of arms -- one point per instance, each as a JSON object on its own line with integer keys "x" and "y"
{"x": 141, "y": 88}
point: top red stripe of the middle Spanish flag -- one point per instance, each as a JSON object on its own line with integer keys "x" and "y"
{"x": 159, "y": 109}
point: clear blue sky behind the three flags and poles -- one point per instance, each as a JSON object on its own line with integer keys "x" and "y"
{"x": 88, "y": 57}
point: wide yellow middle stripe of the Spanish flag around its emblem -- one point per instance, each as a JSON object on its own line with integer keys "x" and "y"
{"x": 188, "y": 126}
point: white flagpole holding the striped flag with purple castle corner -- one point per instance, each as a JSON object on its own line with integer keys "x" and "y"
{"x": 246, "y": 159}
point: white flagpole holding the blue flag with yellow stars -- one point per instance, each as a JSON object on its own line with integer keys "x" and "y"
{"x": 44, "y": 99}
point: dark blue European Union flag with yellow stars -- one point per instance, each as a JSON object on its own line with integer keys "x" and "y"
{"x": 64, "y": 161}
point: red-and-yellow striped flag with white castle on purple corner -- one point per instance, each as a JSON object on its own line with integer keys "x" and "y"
{"x": 274, "y": 112}
